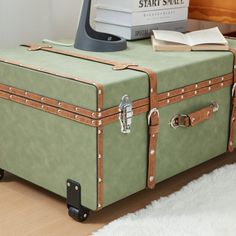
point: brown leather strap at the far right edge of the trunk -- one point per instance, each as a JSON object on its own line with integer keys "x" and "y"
{"x": 233, "y": 109}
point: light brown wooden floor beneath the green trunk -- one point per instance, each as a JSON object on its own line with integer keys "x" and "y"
{"x": 28, "y": 210}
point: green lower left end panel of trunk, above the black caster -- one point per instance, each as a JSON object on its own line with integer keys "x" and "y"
{"x": 47, "y": 150}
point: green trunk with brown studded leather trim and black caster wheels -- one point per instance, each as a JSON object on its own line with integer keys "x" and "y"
{"x": 98, "y": 127}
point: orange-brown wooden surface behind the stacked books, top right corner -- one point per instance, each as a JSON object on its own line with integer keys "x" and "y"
{"x": 213, "y": 10}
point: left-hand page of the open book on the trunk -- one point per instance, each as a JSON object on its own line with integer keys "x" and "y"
{"x": 170, "y": 36}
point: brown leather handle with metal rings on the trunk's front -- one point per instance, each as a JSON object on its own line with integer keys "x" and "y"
{"x": 194, "y": 118}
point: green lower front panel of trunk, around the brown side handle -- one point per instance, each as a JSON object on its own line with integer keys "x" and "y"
{"x": 125, "y": 163}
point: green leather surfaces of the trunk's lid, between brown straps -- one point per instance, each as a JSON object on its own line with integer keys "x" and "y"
{"x": 174, "y": 69}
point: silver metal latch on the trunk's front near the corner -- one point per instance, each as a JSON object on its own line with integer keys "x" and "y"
{"x": 126, "y": 114}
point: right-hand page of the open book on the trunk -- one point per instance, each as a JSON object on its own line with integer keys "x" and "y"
{"x": 208, "y": 36}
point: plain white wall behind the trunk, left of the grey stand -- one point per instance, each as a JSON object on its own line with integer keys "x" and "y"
{"x": 32, "y": 20}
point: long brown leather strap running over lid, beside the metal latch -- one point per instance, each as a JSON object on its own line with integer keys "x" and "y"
{"x": 153, "y": 116}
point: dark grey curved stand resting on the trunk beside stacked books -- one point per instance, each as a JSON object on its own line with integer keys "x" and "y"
{"x": 90, "y": 40}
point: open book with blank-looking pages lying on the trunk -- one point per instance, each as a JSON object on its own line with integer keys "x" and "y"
{"x": 208, "y": 39}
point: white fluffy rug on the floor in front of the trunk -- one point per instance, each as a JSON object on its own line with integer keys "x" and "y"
{"x": 205, "y": 207}
